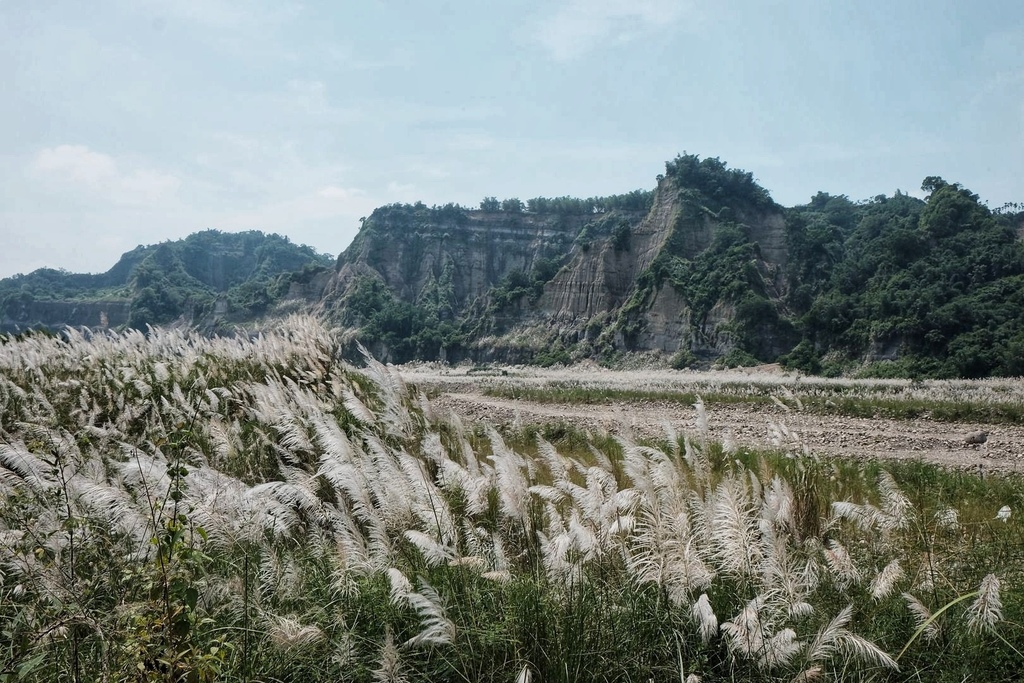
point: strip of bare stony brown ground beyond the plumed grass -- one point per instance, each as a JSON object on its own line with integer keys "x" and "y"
{"x": 744, "y": 424}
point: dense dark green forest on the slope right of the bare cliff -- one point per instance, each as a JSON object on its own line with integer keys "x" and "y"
{"x": 938, "y": 283}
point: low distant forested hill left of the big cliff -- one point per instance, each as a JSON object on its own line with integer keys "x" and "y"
{"x": 204, "y": 280}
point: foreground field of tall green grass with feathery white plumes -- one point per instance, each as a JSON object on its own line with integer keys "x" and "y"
{"x": 255, "y": 509}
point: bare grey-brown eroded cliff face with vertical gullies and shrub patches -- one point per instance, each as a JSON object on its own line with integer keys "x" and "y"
{"x": 639, "y": 281}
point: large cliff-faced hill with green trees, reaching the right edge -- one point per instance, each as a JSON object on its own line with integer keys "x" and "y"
{"x": 706, "y": 269}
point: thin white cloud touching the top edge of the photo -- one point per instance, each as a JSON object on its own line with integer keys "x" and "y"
{"x": 580, "y": 25}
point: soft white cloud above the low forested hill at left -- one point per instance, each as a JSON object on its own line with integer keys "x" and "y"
{"x": 79, "y": 169}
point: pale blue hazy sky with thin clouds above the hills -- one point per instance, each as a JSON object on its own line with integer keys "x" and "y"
{"x": 130, "y": 122}
